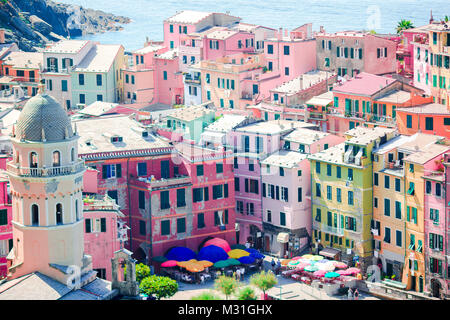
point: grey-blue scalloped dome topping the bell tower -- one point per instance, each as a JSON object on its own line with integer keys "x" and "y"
{"x": 42, "y": 117}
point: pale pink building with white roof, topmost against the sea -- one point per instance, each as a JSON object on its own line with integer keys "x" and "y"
{"x": 188, "y": 21}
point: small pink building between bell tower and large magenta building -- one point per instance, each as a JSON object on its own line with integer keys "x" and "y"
{"x": 104, "y": 233}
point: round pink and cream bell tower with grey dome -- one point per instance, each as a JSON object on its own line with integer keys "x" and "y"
{"x": 46, "y": 180}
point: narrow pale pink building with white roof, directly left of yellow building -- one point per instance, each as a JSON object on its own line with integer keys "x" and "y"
{"x": 286, "y": 191}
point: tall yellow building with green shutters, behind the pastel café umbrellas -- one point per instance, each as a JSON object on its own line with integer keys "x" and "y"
{"x": 342, "y": 191}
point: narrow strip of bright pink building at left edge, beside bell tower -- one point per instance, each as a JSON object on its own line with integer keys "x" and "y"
{"x": 6, "y": 236}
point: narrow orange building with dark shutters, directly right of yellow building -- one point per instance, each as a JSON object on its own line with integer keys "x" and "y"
{"x": 389, "y": 194}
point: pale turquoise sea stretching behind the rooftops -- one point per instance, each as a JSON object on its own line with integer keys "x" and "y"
{"x": 335, "y": 15}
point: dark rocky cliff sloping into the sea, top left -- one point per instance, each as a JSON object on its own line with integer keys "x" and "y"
{"x": 32, "y": 23}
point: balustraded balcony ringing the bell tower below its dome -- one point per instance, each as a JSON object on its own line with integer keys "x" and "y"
{"x": 46, "y": 172}
